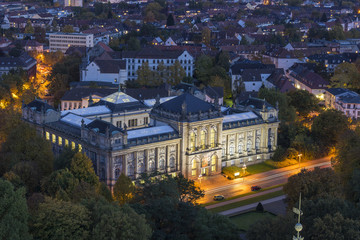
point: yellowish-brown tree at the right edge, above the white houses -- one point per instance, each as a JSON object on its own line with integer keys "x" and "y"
{"x": 346, "y": 75}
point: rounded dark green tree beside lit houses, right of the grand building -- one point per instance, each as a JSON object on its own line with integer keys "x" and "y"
{"x": 303, "y": 101}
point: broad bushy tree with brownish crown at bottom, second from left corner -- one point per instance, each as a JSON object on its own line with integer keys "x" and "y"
{"x": 60, "y": 220}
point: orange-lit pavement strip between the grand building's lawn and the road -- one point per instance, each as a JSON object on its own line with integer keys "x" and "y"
{"x": 211, "y": 182}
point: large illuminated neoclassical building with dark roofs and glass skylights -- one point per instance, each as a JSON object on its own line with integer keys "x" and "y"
{"x": 182, "y": 134}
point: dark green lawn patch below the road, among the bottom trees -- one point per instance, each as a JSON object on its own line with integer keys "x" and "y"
{"x": 246, "y": 220}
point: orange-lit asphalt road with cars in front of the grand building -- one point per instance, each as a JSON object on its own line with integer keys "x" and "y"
{"x": 266, "y": 179}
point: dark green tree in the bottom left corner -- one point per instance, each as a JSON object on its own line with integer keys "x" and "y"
{"x": 13, "y": 212}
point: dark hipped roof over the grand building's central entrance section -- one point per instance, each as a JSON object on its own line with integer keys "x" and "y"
{"x": 192, "y": 103}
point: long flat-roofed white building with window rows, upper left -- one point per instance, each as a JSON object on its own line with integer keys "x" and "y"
{"x": 62, "y": 41}
